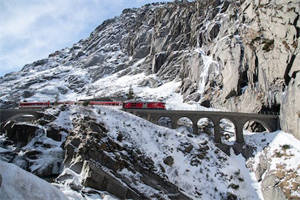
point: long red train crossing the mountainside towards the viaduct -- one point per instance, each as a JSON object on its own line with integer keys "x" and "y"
{"x": 125, "y": 105}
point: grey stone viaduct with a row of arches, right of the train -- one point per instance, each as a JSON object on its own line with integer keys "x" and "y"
{"x": 270, "y": 122}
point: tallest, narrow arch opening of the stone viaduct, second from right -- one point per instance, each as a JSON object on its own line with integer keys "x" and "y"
{"x": 228, "y": 131}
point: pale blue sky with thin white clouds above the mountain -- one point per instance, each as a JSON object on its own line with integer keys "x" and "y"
{"x": 32, "y": 29}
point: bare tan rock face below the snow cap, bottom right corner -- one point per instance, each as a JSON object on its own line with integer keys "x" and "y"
{"x": 278, "y": 181}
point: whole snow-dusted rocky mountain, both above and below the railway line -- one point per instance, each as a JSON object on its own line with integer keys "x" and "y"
{"x": 227, "y": 55}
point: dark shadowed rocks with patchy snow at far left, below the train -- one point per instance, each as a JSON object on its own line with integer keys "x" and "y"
{"x": 30, "y": 147}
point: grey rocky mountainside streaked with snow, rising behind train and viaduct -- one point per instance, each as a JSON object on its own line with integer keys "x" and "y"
{"x": 238, "y": 55}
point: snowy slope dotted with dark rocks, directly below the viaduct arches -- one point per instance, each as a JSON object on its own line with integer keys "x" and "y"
{"x": 159, "y": 142}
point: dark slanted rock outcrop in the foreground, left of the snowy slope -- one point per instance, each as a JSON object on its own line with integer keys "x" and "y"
{"x": 103, "y": 162}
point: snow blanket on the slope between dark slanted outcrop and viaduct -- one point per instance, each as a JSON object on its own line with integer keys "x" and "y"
{"x": 189, "y": 162}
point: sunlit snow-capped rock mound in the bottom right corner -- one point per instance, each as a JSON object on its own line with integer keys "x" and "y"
{"x": 276, "y": 164}
